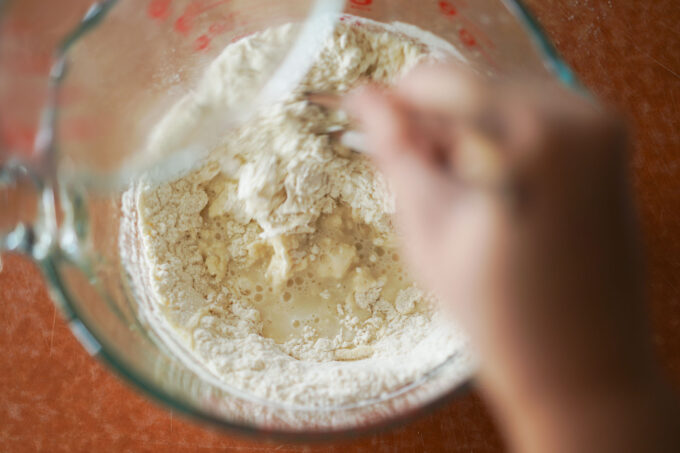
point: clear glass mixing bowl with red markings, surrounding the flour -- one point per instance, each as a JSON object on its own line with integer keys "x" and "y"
{"x": 111, "y": 79}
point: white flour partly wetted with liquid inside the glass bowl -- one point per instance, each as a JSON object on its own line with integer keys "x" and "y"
{"x": 275, "y": 263}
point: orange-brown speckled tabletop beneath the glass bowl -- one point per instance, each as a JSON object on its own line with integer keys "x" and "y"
{"x": 54, "y": 397}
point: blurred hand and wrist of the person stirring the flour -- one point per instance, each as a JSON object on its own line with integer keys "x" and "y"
{"x": 514, "y": 208}
